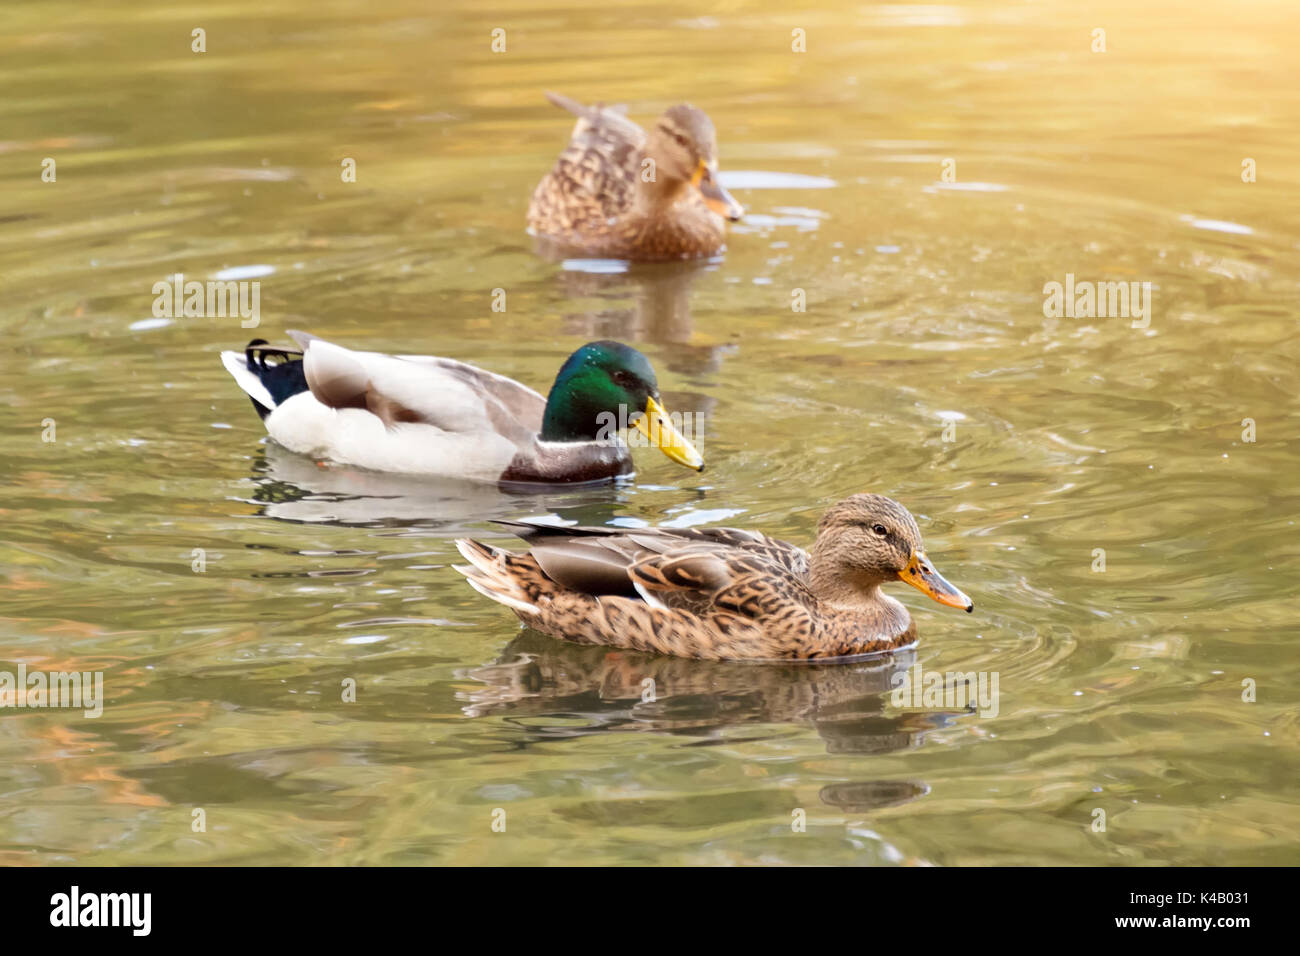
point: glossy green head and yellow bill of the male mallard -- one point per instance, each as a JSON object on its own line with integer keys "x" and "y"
{"x": 604, "y": 387}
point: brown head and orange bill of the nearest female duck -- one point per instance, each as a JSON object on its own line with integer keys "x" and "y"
{"x": 868, "y": 540}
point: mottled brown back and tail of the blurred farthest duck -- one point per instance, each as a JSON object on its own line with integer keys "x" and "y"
{"x": 593, "y": 179}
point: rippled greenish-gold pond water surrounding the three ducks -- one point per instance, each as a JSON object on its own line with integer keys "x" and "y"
{"x": 1120, "y": 690}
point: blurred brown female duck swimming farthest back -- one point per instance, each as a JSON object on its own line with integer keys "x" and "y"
{"x": 618, "y": 193}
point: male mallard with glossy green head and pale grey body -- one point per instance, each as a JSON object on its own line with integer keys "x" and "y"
{"x": 427, "y": 416}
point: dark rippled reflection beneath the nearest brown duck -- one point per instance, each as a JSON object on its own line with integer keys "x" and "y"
{"x": 590, "y": 690}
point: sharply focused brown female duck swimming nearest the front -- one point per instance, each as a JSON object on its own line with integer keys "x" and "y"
{"x": 720, "y": 594}
